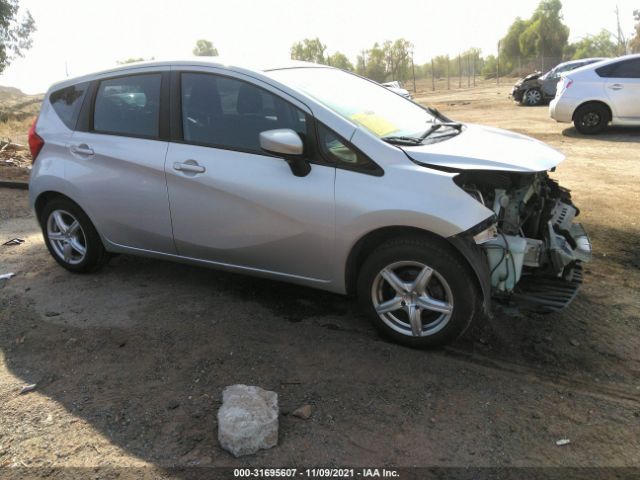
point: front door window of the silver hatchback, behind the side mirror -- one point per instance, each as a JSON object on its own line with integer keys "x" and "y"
{"x": 227, "y": 113}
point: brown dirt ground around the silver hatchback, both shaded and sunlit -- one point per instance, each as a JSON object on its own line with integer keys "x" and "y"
{"x": 130, "y": 362}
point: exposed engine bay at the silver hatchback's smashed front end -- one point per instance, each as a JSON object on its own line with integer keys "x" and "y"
{"x": 534, "y": 237}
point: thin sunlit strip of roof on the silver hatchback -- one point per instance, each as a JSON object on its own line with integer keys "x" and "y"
{"x": 236, "y": 65}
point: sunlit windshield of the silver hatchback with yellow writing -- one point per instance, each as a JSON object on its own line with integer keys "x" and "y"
{"x": 365, "y": 103}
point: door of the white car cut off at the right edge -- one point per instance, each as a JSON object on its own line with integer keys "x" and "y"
{"x": 622, "y": 86}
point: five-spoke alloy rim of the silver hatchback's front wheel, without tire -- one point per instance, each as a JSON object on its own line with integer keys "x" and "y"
{"x": 412, "y": 298}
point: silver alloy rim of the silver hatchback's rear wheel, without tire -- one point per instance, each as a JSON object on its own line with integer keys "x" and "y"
{"x": 66, "y": 237}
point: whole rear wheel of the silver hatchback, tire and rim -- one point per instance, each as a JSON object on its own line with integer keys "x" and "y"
{"x": 70, "y": 237}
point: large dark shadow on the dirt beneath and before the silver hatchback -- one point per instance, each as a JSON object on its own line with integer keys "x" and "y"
{"x": 149, "y": 379}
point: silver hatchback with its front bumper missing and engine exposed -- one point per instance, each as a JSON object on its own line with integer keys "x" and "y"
{"x": 311, "y": 175}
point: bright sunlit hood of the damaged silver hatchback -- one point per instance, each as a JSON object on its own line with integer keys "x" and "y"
{"x": 485, "y": 148}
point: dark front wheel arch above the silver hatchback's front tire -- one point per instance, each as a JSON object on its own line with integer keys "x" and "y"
{"x": 456, "y": 244}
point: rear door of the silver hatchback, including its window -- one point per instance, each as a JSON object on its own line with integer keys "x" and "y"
{"x": 118, "y": 159}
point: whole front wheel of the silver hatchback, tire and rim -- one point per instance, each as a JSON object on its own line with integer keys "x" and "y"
{"x": 417, "y": 292}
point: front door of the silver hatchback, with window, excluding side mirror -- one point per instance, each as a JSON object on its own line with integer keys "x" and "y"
{"x": 232, "y": 203}
